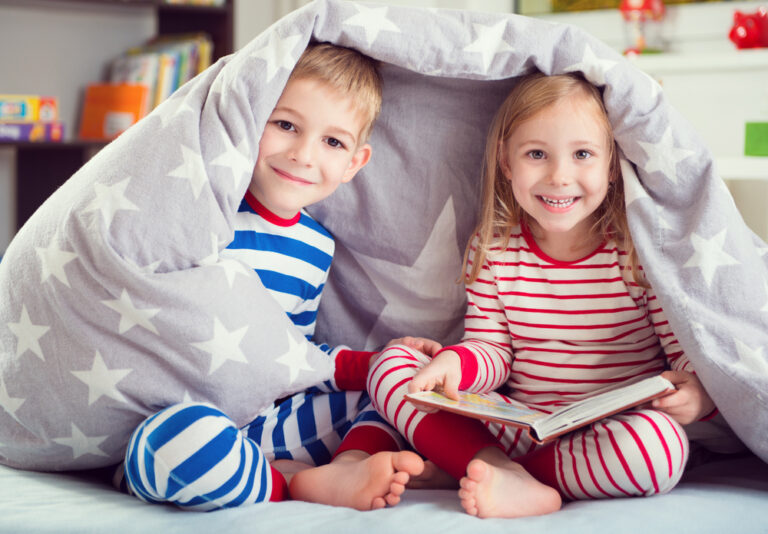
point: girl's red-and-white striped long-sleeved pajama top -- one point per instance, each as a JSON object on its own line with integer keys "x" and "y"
{"x": 557, "y": 332}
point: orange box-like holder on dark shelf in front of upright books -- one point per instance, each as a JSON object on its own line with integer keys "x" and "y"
{"x": 109, "y": 109}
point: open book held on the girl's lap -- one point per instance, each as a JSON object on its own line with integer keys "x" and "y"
{"x": 541, "y": 426}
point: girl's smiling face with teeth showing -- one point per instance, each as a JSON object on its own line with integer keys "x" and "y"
{"x": 558, "y": 164}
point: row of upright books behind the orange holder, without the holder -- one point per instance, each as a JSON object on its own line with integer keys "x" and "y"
{"x": 163, "y": 64}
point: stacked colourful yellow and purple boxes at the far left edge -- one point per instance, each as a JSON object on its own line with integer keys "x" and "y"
{"x": 30, "y": 118}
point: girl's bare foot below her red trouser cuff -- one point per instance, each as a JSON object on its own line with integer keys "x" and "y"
{"x": 505, "y": 490}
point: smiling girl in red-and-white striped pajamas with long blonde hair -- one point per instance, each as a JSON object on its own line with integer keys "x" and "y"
{"x": 558, "y": 310}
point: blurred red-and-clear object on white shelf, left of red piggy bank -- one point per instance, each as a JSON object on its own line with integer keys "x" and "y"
{"x": 642, "y": 25}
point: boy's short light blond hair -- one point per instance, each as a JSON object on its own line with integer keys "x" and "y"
{"x": 347, "y": 71}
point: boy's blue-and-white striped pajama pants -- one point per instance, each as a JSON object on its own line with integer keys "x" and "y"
{"x": 194, "y": 456}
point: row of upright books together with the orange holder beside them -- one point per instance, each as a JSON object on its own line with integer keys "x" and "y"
{"x": 141, "y": 79}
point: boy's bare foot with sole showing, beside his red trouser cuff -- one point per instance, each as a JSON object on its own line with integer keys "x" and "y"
{"x": 357, "y": 480}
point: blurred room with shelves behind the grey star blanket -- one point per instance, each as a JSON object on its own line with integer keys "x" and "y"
{"x": 75, "y": 73}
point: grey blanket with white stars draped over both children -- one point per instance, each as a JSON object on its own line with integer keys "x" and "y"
{"x": 114, "y": 302}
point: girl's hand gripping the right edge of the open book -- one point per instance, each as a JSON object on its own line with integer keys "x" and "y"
{"x": 689, "y": 403}
